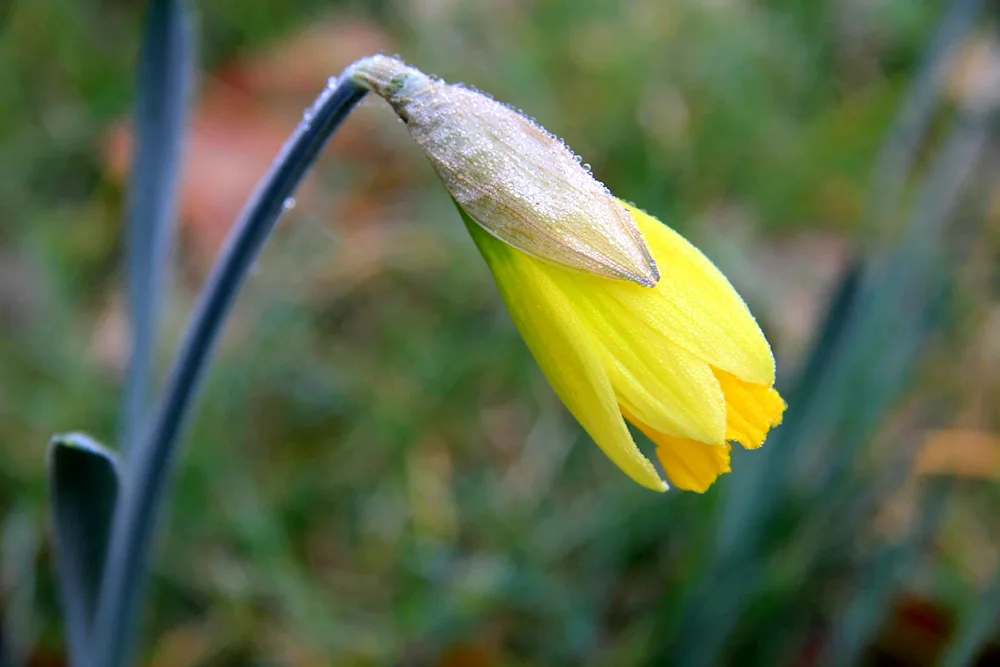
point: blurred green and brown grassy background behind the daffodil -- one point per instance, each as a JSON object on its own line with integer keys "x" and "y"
{"x": 379, "y": 475}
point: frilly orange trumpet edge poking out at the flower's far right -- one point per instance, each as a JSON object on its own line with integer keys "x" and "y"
{"x": 752, "y": 410}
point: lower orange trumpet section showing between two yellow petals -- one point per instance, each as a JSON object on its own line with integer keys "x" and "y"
{"x": 690, "y": 465}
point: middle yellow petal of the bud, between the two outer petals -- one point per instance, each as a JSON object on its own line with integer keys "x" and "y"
{"x": 660, "y": 382}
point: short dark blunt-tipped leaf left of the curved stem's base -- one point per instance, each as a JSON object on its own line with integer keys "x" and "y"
{"x": 84, "y": 489}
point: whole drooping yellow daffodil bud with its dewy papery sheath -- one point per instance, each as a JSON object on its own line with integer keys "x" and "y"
{"x": 673, "y": 350}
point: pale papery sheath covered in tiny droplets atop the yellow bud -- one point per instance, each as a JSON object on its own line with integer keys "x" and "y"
{"x": 517, "y": 181}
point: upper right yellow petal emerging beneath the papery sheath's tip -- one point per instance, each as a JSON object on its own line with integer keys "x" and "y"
{"x": 693, "y": 305}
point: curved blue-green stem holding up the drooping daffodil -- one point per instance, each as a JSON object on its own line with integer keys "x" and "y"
{"x": 153, "y": 457}
